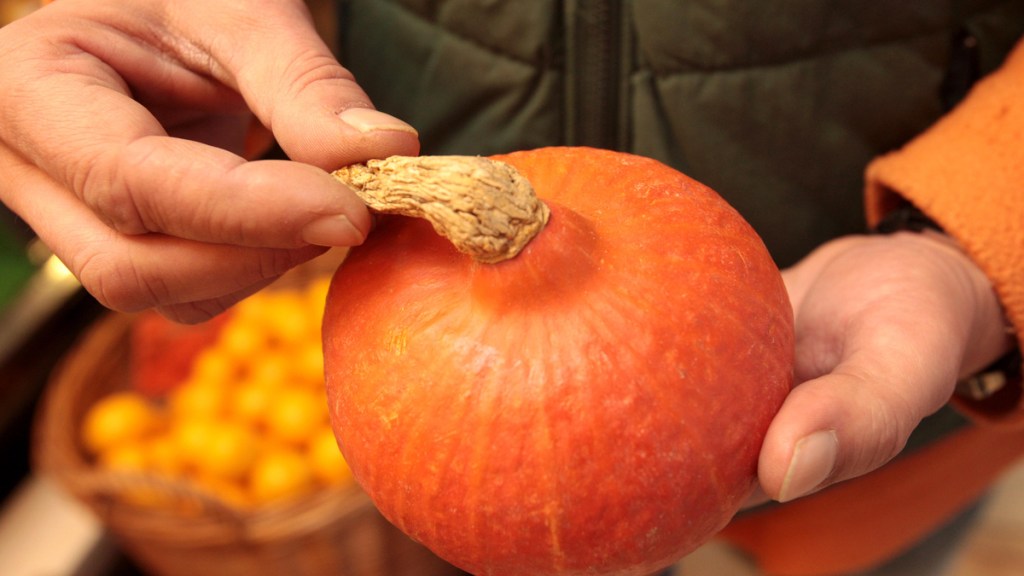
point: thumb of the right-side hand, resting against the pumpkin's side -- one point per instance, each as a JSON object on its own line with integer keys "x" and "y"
{"x": 850, "y": 422}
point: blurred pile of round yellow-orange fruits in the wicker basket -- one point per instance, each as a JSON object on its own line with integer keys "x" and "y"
{"x": 249, "y": 424}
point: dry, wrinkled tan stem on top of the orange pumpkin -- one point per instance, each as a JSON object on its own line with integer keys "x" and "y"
{"x": 485, "y": 208}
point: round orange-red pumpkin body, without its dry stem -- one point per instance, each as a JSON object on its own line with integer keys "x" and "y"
{"x": 593, "y": 405}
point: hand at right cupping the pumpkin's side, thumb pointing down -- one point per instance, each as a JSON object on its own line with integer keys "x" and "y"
{"x": 885, "y": 327}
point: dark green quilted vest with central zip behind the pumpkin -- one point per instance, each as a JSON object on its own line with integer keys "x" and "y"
{"x": 777, "y": 105}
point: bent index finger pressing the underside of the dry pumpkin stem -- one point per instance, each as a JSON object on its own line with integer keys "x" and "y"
{"x": 192, "y": 191}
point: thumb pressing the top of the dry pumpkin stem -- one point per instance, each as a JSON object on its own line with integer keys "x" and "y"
{"x": 294, "y": 86}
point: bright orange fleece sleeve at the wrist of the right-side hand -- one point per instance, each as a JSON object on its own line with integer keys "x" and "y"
{"x": 967, "y": 174}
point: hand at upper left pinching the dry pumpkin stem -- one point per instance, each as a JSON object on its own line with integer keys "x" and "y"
{"x": 122, "y": 133}
